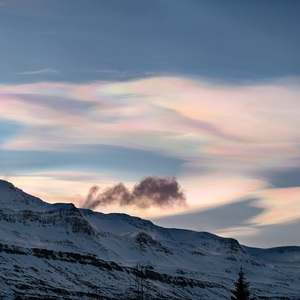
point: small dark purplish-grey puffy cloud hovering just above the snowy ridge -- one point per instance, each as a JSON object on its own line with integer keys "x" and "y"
{"x": 150, "y": 191}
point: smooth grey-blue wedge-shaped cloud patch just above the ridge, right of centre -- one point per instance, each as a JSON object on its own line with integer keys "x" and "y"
{"x": 218, "y": 218}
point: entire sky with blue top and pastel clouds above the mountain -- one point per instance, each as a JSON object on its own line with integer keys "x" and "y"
{"x": 184, "y": 112}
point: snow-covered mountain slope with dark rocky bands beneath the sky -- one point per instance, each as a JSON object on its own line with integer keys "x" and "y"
{"x": 58, "y": 251}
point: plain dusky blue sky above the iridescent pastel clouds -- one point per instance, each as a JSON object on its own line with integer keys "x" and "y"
{"x": 82, "y": 41}
